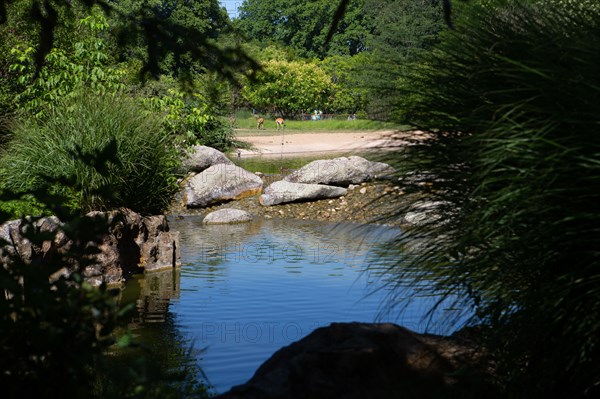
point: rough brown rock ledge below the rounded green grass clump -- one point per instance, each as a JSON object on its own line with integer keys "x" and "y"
{"x": 124, "y": 242}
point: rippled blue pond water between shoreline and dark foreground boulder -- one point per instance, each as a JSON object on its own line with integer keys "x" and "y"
{"x": 244, "y": 291}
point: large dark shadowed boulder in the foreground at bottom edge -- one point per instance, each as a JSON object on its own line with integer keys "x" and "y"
{"x": 363, "y": 360}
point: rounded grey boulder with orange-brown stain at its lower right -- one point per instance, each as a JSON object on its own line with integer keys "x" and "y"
{"x": 220, "y": 183}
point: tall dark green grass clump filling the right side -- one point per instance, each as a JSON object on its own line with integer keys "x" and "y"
{"x": 513, "y": 96}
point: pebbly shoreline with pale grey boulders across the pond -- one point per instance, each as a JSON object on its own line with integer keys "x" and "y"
{"x": 212, "y": 180}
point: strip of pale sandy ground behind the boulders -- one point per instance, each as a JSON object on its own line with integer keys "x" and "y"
{"x": 290, "y": 144}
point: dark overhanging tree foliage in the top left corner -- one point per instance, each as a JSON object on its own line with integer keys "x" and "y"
{"x": 166, "y": 31}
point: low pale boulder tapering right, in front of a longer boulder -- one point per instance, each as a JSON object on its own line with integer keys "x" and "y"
{"x": 283, "y": 191}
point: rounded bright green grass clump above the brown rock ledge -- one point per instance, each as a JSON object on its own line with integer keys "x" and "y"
{"x": 96, "y": 152}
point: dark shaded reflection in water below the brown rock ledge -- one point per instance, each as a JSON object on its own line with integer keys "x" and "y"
{"x": 163, "y": 359}
